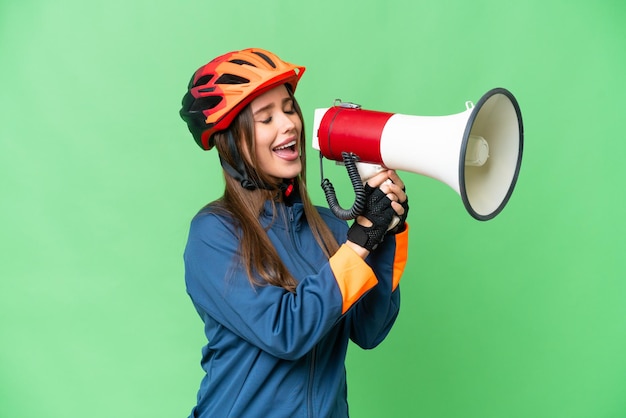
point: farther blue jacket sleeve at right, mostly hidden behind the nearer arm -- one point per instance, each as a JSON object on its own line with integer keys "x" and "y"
{"x": 374, "y": 315}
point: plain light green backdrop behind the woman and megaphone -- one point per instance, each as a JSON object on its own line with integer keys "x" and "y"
{"x": 521, "y": 316}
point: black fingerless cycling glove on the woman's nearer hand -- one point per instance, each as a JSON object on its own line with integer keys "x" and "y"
{"x": 379, "y": 212}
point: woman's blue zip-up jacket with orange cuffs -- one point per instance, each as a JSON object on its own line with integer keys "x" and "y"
{"x": 273, "y": 353}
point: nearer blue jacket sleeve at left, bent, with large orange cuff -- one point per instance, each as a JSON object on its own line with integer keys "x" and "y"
{"x": 286, "y": 325}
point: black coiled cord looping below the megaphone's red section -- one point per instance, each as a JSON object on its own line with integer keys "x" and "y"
{"x": 358, "y": 206}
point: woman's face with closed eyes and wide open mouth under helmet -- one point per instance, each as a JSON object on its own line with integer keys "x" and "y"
{"x": 277, "y": 129}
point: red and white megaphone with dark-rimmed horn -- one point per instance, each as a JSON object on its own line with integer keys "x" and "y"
{"x": 477, "y": 152}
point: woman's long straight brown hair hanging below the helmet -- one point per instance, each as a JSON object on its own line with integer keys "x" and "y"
{"x": 258, "y": 255}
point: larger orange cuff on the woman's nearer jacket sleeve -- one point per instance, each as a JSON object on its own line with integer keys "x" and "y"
{"x": 354, "y": 277}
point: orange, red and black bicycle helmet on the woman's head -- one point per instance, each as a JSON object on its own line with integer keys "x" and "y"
{"x": 219, "y": 90}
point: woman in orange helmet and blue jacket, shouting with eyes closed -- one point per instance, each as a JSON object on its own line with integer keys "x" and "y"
{"x": 282, "y": 286}
